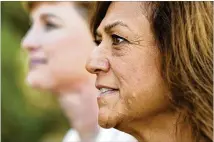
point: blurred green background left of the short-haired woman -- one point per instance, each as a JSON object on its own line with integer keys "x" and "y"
{"x": 27, "y": 115}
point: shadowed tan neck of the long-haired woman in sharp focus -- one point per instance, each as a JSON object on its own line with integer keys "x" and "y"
{"x": 163, "y": 127}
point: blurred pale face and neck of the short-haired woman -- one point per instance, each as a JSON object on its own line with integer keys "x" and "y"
{"x": 65, "y": 46}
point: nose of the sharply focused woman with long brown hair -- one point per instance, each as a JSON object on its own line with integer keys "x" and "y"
{"x": 97, "y": 62}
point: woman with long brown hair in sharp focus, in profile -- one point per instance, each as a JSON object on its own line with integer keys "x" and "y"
{"x": 154, "y": 68}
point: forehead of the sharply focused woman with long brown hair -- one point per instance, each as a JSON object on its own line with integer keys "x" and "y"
{"x": 128, "y": 13}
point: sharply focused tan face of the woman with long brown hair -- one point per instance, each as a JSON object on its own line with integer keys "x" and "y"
{"x": 127, "y": 63}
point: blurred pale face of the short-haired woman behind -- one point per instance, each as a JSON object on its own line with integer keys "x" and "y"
{"x": 57, "y": 44}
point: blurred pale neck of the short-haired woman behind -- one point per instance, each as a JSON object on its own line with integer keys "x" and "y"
{"x": 79, "y": 103}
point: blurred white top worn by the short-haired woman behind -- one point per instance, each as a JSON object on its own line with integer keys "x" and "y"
{"x": 104, "y": 135}
